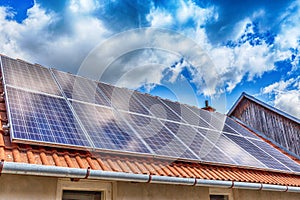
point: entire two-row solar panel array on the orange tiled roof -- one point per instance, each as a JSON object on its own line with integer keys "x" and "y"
{"x": 49, "y": 107}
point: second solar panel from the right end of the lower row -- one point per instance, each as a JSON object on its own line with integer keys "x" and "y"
{"x": 257, "y": 152}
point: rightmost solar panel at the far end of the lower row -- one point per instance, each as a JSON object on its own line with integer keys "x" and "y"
{"x": 277, "y": 154}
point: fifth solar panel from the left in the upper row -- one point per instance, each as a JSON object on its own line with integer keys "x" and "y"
{"x": 186, "y": 114}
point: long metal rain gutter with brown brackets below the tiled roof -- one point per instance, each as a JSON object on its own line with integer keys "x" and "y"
{"x": 74, "y": 173}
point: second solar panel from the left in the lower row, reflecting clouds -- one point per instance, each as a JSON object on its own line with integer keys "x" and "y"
{"x": 107, "y": 130}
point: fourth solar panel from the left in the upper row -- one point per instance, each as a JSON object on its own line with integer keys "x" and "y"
{"x": 157, "y": 108}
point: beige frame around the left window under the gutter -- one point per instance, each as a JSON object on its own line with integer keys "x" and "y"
{"x": 84, "y": 185}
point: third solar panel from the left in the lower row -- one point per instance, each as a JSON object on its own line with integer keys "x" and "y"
{"x": 161, "y": 141}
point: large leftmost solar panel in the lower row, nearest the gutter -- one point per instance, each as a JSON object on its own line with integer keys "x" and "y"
{"x": 43, "y": 119}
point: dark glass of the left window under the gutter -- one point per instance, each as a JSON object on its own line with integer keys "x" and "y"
{"x": 81, "y": 195}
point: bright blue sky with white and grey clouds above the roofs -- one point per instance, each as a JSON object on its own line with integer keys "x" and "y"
{"x": 252, "y": 46}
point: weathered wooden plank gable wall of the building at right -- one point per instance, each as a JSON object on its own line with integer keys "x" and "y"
{"x": 273, "y": 125}
